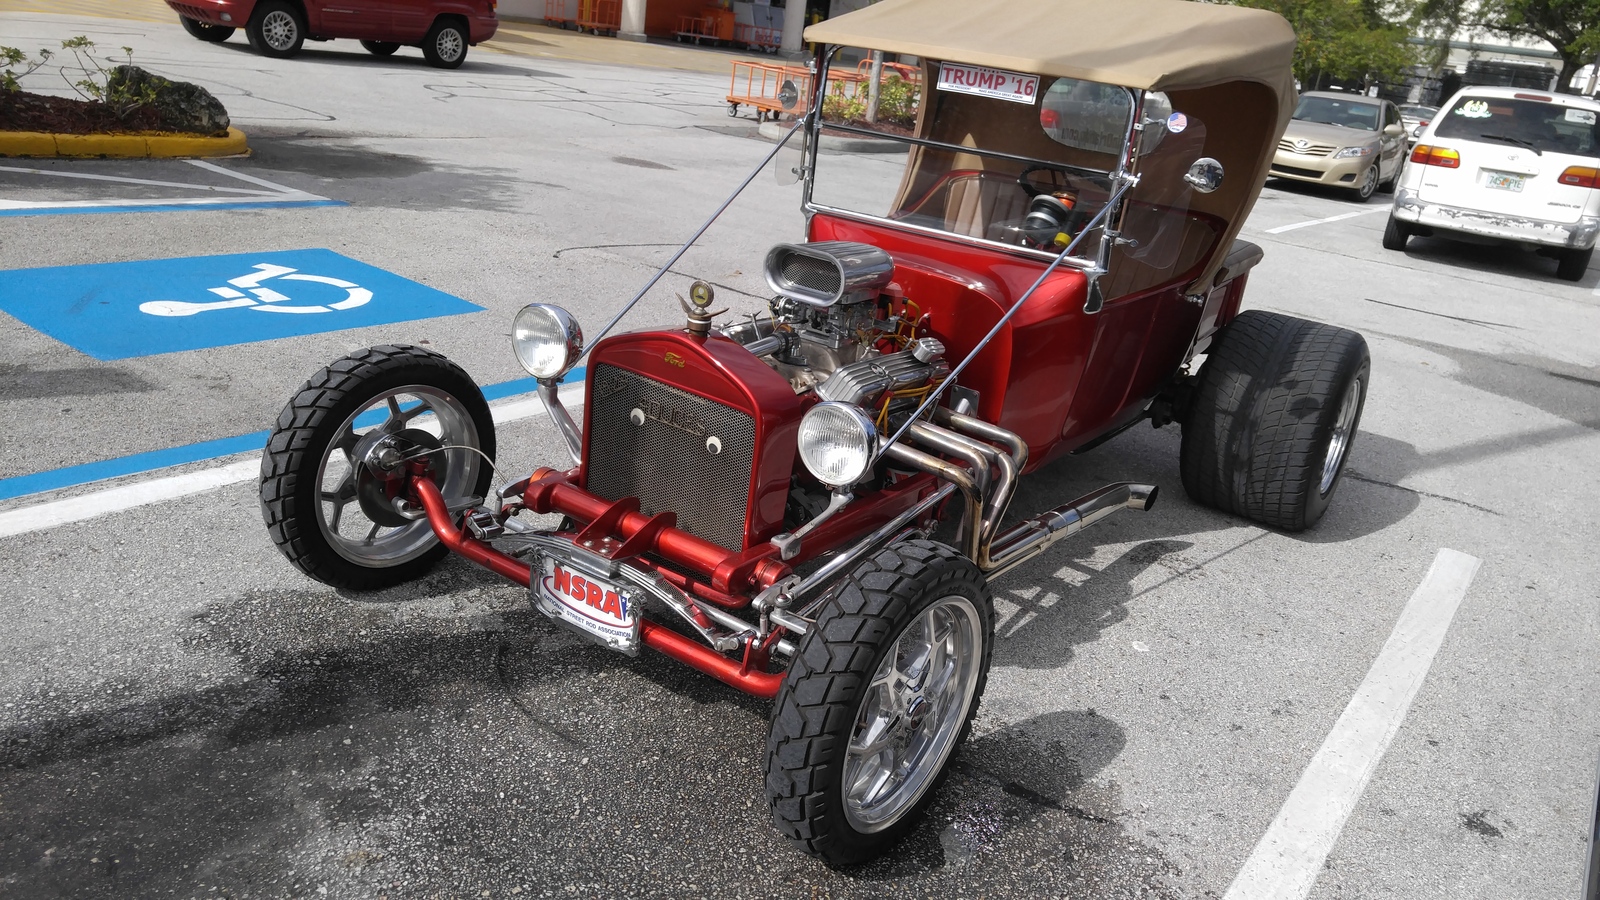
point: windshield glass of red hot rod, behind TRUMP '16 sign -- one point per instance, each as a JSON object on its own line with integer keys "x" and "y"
{"x": 993, "y": 143}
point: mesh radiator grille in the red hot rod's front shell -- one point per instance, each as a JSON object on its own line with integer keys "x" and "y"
{"x": 665, "y": 462}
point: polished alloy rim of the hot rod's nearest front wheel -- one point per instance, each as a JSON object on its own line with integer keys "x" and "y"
{"x": 913, "y": 713}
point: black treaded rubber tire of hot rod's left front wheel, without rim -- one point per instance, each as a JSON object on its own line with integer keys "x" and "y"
{"x": 306, "y": 428}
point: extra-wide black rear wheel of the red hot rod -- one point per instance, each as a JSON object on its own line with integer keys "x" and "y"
{"x": 1274, "y": 417}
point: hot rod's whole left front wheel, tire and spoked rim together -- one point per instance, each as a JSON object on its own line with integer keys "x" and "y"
{"x": 324, "y": 507}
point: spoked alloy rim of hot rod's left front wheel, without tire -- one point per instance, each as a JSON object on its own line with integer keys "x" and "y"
{"x": 345, "y": 526}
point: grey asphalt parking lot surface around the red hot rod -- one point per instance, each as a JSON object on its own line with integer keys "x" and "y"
{"x": 182, "y": 713}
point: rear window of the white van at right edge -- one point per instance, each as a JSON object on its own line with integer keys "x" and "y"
{"x": 1546, "y": 127}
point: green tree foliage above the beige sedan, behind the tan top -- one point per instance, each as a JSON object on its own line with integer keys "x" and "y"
{"x": 1343, "y": 39}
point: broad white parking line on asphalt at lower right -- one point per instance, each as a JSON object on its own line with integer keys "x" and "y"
{"x": 1290, "y": 856}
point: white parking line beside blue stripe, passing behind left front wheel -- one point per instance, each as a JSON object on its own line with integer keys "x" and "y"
{"x": 121, "y": 499}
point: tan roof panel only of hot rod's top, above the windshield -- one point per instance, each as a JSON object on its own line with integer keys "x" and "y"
{"x": 1156, "y": 46}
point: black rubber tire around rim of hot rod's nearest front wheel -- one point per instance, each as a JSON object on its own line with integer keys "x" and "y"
{"x": 817, "y": 705}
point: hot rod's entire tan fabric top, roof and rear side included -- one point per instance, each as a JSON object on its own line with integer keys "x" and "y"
{"x": 1225, "y": 66}
